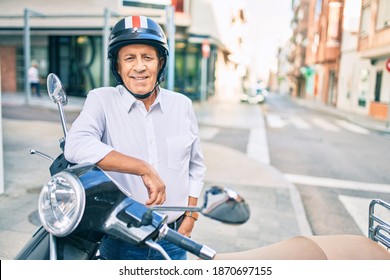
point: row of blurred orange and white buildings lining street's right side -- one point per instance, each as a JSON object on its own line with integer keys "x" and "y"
{"x": 347, "y": 55}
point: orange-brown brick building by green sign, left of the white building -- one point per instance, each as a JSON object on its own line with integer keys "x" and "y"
{"x": 323, "y": 50}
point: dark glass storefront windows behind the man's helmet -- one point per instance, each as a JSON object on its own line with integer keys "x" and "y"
{"x": 78, "y": 60}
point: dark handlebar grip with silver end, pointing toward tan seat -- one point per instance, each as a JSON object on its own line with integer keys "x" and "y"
{"x": 202, "y": 251}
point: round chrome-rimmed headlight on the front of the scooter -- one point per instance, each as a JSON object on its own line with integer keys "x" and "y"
{"x": 61, "y": 204}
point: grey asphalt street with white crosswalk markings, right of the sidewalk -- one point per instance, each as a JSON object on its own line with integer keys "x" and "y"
{"x": 337, "y": 166}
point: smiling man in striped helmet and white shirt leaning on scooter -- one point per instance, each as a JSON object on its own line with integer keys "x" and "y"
{"x": 145, "y": 137}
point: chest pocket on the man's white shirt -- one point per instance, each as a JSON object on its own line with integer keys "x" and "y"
{"x": 179, "y": 148}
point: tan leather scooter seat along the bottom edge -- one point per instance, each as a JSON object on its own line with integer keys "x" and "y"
{"x": 332, "y": 247}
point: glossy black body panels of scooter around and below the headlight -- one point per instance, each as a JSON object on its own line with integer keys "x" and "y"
{"x": 103, "y": 200}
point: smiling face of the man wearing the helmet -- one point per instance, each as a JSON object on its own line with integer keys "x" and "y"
{"x": 138, "y": 66}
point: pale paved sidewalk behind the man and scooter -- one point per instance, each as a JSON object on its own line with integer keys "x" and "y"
{"x": 276, "y": 209}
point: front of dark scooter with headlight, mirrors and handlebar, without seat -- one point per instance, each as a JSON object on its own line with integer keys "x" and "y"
{"x": 80, "y": 204}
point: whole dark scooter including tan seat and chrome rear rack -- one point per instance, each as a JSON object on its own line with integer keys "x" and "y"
{"x": 80, "y": 204}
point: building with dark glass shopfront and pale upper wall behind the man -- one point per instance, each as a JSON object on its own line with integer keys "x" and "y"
{"x": 68, "y": 39}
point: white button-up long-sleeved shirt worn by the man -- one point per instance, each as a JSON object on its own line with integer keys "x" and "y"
{"x": 166, "y": 137}
